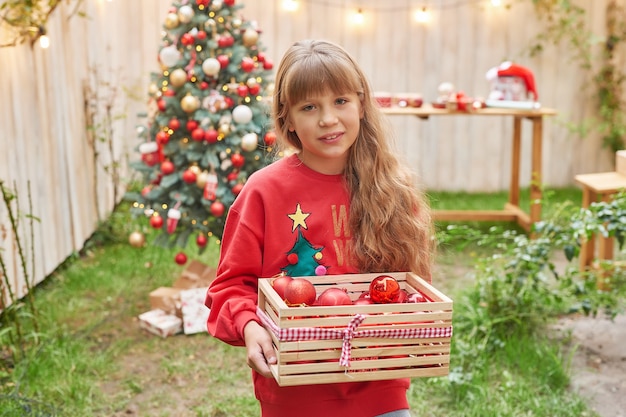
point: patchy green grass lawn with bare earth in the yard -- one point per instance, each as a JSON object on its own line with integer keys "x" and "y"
{"x": 93, "y": 359}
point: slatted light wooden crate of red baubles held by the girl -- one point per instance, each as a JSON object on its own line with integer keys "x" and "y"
{"x": 309, "y": 340}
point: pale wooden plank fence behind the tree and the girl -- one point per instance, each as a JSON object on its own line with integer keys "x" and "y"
{"x": 68, "y": 113}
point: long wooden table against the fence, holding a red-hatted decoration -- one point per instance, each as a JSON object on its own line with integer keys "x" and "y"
{"x": 511, "y": 211}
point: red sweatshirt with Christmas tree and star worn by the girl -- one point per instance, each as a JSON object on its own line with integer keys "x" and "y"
{"x": 293, "y": 219}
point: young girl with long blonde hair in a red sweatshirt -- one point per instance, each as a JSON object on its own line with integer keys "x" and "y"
{"x": 342, "y": 204}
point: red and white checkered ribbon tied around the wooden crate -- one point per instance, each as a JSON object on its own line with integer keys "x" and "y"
{"x": 350, "y": 332}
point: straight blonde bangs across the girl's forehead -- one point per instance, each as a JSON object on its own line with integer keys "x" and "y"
{"x": 314, "y": 76}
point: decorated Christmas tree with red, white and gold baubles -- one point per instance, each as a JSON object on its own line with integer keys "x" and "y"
{"x": 208, "y": 122}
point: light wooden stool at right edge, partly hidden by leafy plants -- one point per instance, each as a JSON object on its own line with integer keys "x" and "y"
{"x": 603, "y": 185}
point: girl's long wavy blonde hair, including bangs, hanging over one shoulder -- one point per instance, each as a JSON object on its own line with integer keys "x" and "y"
{"x": 389, "y": 218}
